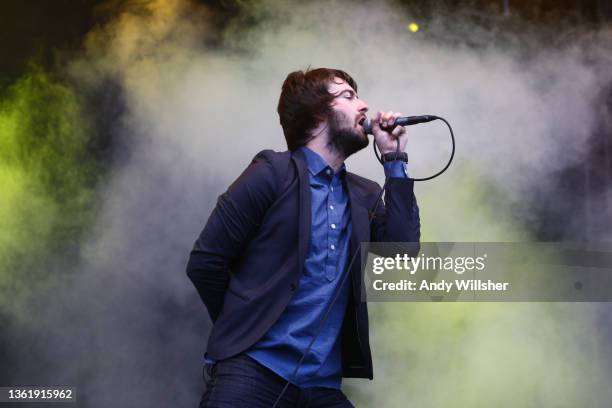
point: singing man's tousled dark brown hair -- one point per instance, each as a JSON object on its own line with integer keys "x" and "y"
{"x": 305, "y": 101}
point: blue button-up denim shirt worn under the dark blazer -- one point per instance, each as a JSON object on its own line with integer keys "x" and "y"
{"x": 282, "y": 346}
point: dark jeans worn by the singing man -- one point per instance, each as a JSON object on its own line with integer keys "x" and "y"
{"x": 240, "y": 381}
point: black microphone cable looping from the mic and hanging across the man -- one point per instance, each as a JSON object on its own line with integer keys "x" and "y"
{"x": 415, "y": 120}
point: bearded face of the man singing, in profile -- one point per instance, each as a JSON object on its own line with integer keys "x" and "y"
{"x": 346, "y": 134}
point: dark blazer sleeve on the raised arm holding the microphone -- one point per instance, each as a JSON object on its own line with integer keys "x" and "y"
{"x": 397, "y": 218}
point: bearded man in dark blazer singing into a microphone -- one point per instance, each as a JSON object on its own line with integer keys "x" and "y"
{"x": 271, "y": 259}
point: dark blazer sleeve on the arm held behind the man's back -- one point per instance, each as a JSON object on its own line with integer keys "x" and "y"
{"x": 231, "y": 225}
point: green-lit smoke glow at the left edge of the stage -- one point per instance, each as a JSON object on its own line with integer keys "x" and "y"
{"x": 47, "y": 182}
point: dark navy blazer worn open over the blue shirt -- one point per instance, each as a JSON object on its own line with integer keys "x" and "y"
{"x": 247, "y": 262}
